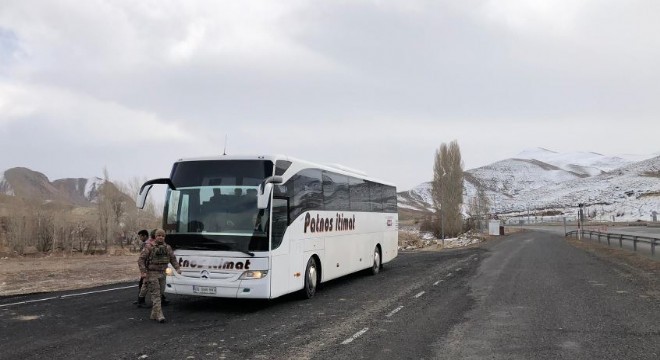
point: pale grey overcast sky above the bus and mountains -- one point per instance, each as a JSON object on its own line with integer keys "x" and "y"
{"x": 131, "y": 86}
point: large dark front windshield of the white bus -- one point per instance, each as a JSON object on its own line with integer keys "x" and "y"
{"x": 214, "y": 206}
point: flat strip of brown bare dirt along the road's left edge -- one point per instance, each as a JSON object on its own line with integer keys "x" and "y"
{"x": 26, "y": 275}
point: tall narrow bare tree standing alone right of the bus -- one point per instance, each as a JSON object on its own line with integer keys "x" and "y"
{"x": 447, "y": 189}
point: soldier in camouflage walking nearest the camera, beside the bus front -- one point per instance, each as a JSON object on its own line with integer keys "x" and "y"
{"x": 152, "y": 262}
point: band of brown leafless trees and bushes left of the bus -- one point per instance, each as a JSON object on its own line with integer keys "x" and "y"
{"x": 37, "y": 225}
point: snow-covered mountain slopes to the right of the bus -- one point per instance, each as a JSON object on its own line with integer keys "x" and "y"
{"x": 539, "y": 182}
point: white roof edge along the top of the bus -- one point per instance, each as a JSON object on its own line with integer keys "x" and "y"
{"x": 305, "y": 163}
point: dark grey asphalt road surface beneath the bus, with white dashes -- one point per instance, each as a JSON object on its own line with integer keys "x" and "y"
{"x": 527, "y": 295}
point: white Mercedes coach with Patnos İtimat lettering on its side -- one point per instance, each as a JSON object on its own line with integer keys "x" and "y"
{"x": 264, "y": 226}
